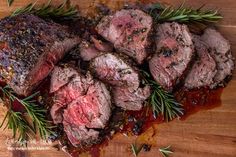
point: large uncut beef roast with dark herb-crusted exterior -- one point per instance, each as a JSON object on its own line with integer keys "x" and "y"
{"x": 30, "y": 47}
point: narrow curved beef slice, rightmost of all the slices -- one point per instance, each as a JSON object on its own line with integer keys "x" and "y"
{"x": 221, "y": 53}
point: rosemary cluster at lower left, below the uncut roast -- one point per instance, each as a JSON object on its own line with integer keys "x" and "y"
{"x": 18, "y": 121}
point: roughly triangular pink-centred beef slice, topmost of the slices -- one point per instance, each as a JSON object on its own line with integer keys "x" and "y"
{"x": 129, "y": 31}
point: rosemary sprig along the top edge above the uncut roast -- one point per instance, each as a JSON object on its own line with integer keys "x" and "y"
{"x": 60, "y": 12}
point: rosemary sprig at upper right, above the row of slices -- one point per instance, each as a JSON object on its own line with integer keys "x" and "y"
{"x": 161, "y": 13}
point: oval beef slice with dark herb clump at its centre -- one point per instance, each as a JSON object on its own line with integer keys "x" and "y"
{"x": 174, "y": 54}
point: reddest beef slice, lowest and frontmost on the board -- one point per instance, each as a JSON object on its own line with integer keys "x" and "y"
{"x": 90, "y": 112}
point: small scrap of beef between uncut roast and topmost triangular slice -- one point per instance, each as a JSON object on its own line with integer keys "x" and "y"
{"x": 90, "y": 50}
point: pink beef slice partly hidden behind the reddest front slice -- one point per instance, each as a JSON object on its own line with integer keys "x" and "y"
{"x": 75, "y": 87}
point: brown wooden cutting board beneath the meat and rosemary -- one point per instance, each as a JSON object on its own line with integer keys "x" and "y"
{"x": 209, "y": 133}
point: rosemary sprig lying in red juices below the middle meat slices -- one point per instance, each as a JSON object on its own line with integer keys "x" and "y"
{"x": 162, "y": 102}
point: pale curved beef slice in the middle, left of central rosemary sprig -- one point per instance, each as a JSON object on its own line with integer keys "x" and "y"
{"x": 123, "y": 79}
